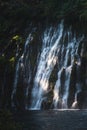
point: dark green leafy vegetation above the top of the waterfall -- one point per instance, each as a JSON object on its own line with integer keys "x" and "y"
{"x": 16, "y": 15}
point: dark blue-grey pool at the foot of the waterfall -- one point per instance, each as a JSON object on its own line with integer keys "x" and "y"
{"x": 52, "y": 119}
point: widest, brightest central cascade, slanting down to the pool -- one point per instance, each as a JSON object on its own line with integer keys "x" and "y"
{"x": 46, "y": 64}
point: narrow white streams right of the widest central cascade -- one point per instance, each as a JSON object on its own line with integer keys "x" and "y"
{"x": 60, "y": 100}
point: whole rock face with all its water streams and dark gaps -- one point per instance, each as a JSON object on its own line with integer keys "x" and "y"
{"x": 51, "y": 72}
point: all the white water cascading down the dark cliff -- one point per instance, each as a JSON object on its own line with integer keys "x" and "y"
{"x": 60, "y": 50}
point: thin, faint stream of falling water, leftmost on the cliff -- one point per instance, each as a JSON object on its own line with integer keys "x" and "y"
{"x": 22, "y": 64}
